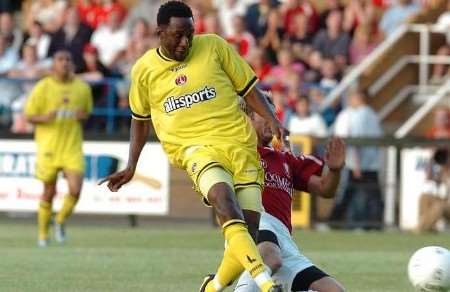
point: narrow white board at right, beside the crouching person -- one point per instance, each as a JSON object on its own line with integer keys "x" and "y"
{"x": 413, "y": 166}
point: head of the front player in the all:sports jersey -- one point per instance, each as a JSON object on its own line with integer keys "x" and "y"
{"x": 175, "y": 29}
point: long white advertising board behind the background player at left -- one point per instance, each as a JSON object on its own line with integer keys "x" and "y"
{"x": 146, "y": 194}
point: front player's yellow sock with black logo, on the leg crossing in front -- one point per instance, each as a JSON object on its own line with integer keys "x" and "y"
{"x": 244, "y": 250}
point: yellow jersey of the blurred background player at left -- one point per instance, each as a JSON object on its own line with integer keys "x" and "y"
{"x": 64, "y": 135}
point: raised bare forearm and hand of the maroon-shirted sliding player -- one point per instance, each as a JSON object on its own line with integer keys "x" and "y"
{"x": 326, "y": 185}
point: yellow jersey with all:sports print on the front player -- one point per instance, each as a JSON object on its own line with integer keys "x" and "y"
{"x": 196, "y": 101}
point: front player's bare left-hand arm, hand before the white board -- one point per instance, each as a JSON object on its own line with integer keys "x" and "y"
{"x": 138, "y": 137}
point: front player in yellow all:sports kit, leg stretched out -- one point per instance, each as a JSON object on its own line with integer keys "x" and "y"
{"x": 190, "y": 88}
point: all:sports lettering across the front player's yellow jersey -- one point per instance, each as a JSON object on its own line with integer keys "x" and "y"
{"x": 188, "y": 100}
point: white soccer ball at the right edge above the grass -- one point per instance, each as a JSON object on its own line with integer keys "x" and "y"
{"x": 429, "y": 269}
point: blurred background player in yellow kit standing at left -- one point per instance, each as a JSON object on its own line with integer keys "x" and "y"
{"x": 57, "y": 106}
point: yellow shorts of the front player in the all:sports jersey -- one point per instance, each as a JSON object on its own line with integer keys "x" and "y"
{"x": 242, "y": 163}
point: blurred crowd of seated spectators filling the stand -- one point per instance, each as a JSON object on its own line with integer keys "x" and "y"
{"x": 298, "y": 51}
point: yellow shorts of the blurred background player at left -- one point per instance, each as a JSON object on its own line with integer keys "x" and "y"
{"x": 47, "y": 167}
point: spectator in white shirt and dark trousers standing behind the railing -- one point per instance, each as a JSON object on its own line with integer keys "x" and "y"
{"x": 360, "y": 203}
